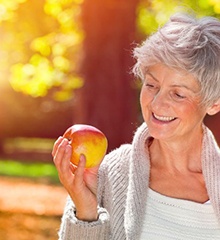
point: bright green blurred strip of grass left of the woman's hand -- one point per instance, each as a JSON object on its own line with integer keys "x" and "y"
{"x": 30, "y": 170}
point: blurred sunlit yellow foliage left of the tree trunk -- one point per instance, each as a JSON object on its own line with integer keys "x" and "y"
{"x": 44, "y": 48}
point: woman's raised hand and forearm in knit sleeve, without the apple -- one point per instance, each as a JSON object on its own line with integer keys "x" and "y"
{"x": 82, "y": 218}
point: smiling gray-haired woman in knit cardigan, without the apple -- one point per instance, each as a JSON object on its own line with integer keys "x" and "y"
{"x": 166, "y": 183}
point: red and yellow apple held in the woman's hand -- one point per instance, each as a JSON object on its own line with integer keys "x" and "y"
{"x": 87, "y": 140}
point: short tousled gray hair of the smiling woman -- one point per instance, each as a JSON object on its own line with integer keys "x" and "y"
{"x": 189, "y": 44}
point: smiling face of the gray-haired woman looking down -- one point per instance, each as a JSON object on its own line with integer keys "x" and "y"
{"x": 170, "y": 103}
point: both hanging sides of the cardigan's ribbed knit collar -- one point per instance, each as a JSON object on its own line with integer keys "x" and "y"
{"x": 139, "y": 174}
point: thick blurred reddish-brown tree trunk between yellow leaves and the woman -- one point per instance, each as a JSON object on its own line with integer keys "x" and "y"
{"x": 108, "y": 99}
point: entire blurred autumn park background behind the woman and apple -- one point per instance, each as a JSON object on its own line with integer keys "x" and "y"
{"x": 64, "y": 62}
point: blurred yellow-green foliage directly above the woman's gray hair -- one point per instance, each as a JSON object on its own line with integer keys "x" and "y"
{"x": 154, "y": 13}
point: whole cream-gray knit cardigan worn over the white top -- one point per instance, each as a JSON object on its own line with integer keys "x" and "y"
{"x": 122, "y": 191}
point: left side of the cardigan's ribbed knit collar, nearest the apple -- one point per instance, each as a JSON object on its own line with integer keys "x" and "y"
{"x": 139, "y": 174}
